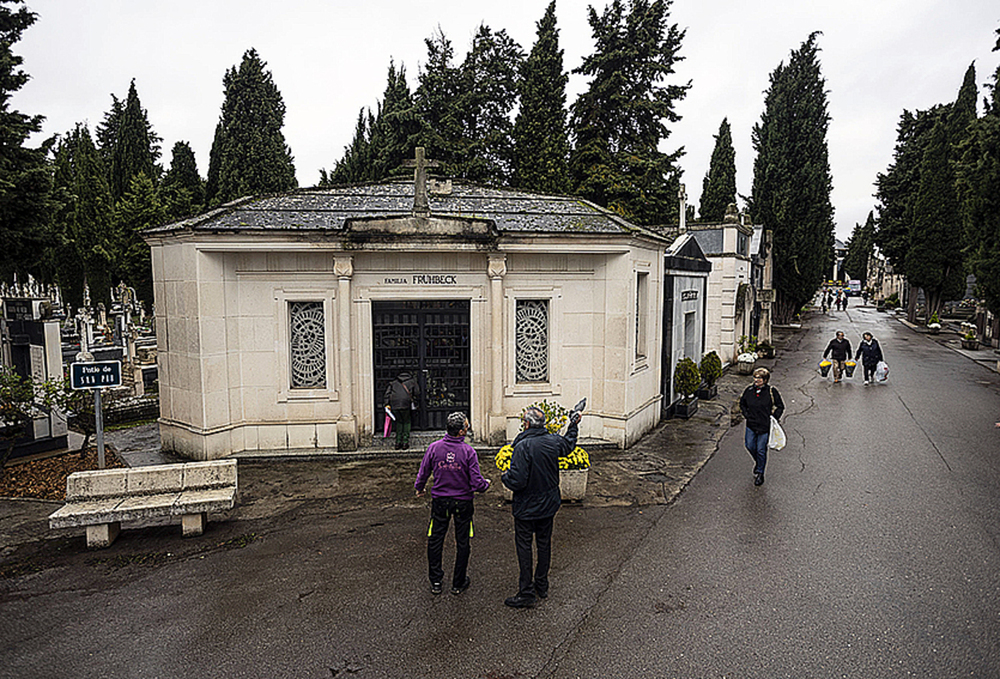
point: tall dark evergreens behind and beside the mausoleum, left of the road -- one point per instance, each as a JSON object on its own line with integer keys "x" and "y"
{"x": 500, "y": 117}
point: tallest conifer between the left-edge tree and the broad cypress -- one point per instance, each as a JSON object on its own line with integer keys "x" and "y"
{"x": 135, "y": 147}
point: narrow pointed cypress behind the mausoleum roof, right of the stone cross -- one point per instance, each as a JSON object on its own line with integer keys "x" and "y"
{"x": 541, "y": 137}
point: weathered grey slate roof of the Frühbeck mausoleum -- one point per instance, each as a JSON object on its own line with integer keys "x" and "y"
{"x": 330, "y": 209}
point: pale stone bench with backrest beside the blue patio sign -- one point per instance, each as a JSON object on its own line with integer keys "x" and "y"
{"x": 102, "y": 499}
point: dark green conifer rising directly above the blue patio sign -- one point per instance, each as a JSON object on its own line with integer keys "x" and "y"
{"x": 84, "y": 221}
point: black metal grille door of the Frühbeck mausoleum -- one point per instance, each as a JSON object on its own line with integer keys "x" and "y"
{"x": 429, "y": 339}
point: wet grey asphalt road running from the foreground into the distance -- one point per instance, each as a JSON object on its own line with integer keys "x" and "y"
{"x": 871, "y": 551}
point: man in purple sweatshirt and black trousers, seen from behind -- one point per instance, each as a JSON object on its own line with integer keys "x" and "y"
{"x": 455, "y": 468}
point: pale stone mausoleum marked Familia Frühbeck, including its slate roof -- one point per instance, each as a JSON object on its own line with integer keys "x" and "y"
{"x": 281, "y": 320}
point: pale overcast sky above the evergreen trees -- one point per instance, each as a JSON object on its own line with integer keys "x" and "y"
{"x": 330, "y": 57}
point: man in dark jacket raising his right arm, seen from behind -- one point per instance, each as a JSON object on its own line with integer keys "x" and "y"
{"x": 533, "y": 478}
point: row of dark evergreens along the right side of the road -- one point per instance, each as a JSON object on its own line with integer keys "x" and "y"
{"x": 937, "y": 218}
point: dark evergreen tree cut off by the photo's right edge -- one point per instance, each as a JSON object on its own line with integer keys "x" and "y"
{"x": 979, "y": 191}
